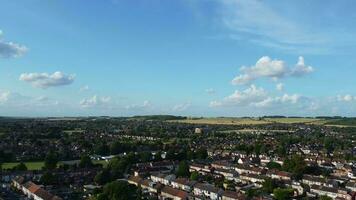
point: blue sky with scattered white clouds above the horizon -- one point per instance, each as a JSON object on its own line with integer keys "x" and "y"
{"x": 183, "y": 57}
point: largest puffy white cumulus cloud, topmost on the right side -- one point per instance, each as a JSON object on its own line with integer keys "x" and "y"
{"x": 266, "y": 67}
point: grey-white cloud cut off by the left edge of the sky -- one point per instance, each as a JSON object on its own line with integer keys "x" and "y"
{"x": 11, "y": 49}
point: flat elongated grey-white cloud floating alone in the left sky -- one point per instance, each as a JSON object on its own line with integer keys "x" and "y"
{"x": 45, "y": 80}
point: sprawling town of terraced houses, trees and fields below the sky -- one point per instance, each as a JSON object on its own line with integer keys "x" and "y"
{"x": 179, "y": 158}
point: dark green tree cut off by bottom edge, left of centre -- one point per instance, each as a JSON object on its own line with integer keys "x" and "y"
{"x": 118, "y": 190}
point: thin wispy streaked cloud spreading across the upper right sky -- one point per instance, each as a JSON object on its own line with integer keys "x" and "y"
{"x": 261, "y": 24}
